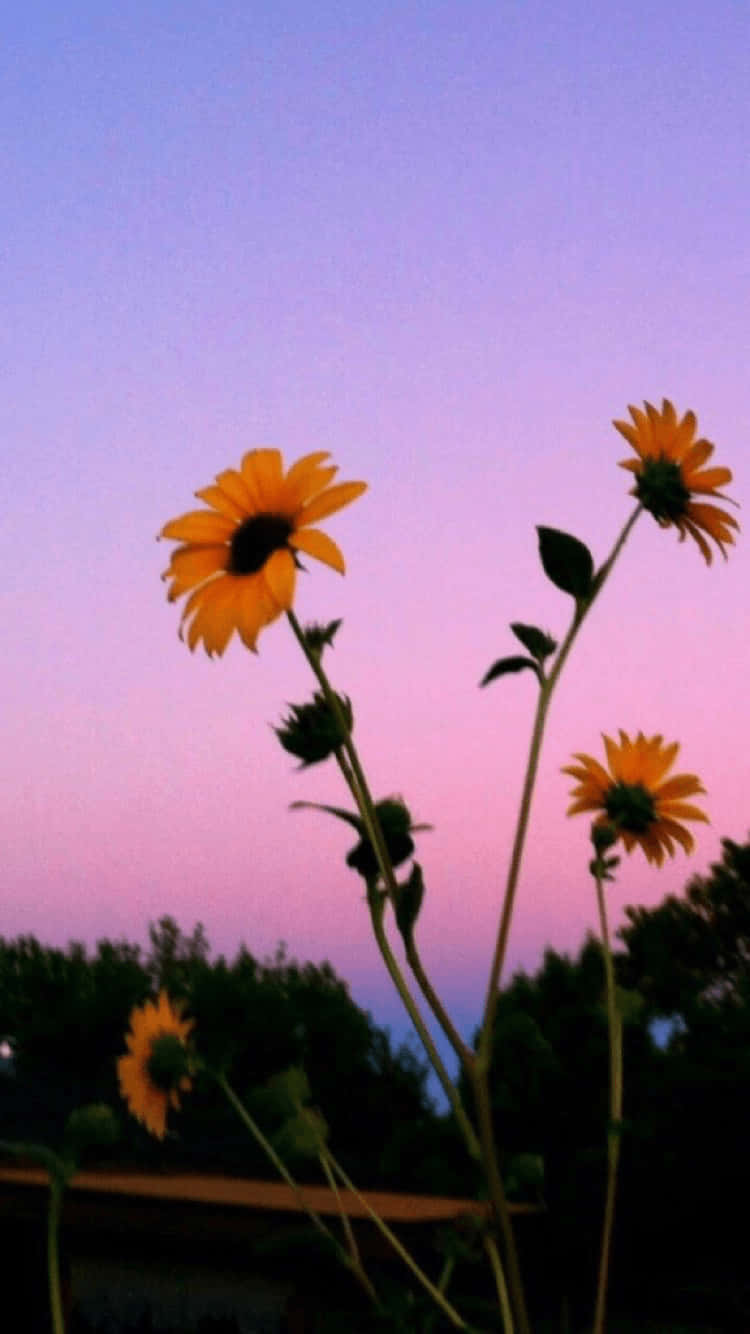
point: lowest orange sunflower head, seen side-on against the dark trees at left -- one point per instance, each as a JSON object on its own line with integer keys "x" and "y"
{"x": 155, "y": 1072}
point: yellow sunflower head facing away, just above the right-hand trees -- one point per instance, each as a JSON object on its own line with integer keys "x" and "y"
{"x": 635, "y": 798}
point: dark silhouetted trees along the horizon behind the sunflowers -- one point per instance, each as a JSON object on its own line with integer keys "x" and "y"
{"x": 684, "y": 969}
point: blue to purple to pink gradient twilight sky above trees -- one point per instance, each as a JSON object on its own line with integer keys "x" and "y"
{"x": 448, "y": 242}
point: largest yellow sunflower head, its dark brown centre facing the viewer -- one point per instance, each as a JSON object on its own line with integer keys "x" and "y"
{"x": 238, "y": 560}
